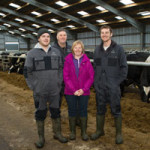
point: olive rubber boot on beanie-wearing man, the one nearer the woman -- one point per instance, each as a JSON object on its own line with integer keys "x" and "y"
{"x": 56, "y": 124}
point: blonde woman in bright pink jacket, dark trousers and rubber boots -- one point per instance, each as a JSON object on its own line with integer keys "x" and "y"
{"x": 78, "y": 76}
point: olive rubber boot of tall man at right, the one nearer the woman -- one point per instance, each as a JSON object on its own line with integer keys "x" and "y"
{"x": 100, "y": 120}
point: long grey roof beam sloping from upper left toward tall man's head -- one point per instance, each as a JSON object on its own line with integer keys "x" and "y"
{"x": 62, "y": 14}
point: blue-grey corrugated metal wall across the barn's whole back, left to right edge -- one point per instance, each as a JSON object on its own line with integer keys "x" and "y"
{"x": 129, "y": 37}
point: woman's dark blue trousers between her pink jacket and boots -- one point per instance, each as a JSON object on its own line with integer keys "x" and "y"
{"x": 77, "y": 105}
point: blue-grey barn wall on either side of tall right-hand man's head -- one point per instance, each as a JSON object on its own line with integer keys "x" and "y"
{"x": 129, "y": 37}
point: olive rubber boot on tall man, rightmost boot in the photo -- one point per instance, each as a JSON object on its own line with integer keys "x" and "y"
{"x": 118, "y": 124}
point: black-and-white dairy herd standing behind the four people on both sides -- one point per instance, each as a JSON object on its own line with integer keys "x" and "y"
{"x": 137, "y": 75}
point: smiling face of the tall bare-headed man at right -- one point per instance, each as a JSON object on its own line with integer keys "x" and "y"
{"x": 105, "y": 35}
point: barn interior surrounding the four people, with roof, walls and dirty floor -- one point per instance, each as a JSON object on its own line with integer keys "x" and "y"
{"x": 19, "y": 22}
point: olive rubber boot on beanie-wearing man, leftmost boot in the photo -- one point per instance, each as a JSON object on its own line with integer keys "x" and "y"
{"x": 40, "y": 128}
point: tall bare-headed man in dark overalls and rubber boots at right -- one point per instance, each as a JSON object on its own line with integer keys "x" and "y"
{"x": 110, "y": 66}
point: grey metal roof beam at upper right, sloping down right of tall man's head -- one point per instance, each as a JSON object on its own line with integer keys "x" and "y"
{"x": 131, "y": 20}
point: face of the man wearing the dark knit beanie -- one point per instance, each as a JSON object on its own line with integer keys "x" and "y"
{"x": 44, "y": 40}
